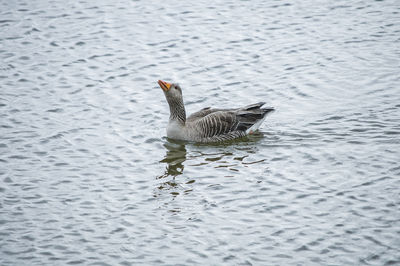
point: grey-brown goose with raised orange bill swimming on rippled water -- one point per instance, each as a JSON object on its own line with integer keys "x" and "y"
{"x": 210, "y": 124}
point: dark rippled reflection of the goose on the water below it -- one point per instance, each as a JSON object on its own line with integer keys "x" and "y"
{"x": 232, "y": 155}
